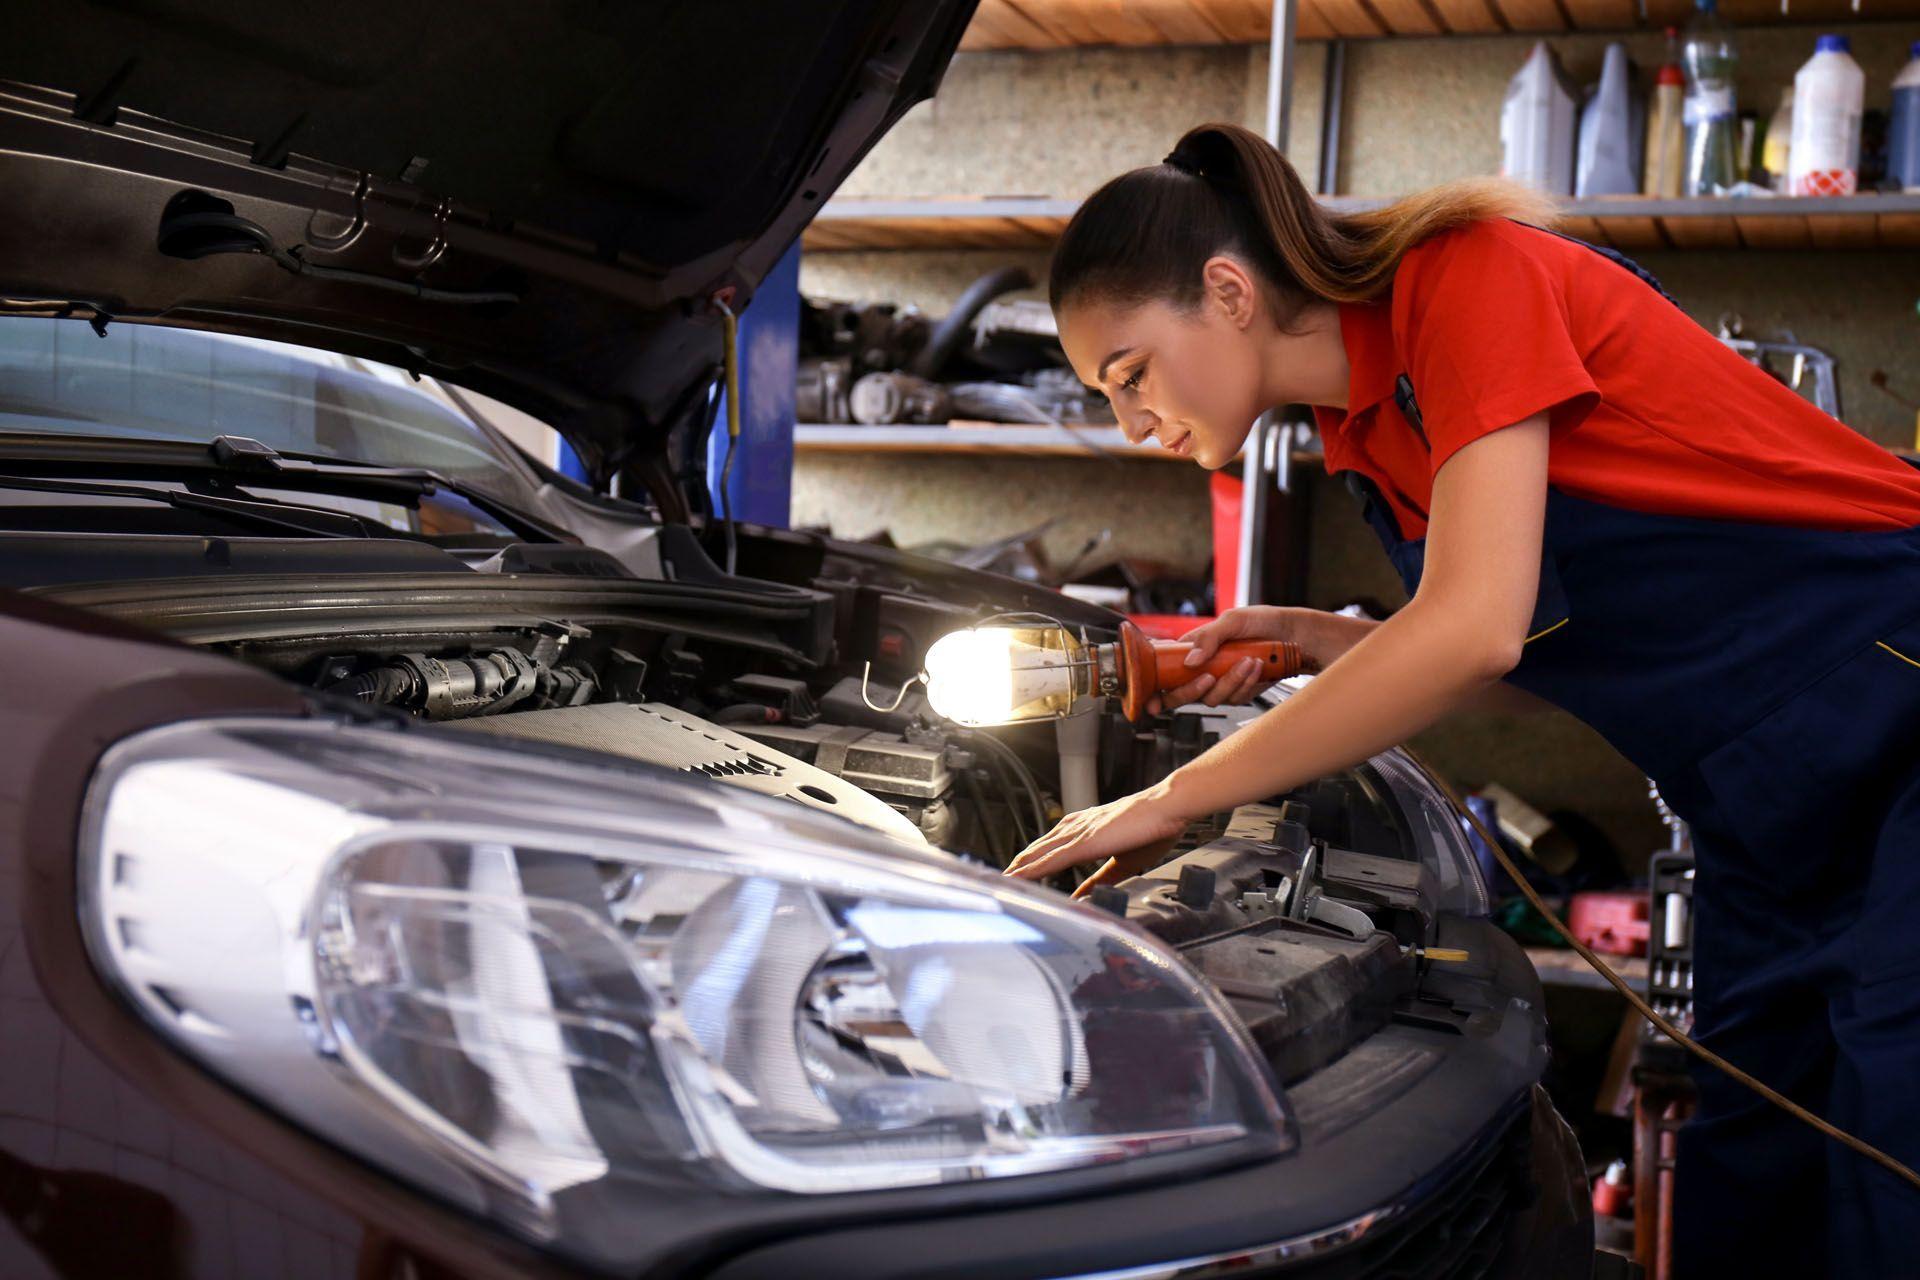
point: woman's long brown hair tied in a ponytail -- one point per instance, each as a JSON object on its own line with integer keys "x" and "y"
{"x": 1224, "y": 189}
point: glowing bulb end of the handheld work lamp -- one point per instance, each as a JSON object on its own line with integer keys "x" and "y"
{"x": 988, "y": 676}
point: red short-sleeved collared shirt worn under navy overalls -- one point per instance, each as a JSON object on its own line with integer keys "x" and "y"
{"x": 1648, "y": 412}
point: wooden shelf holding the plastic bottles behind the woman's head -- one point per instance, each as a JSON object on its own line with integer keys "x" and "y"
{"x": 1621, "y": 222}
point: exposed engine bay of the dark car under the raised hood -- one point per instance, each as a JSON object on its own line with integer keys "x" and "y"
{"x": 1310, "y": 913}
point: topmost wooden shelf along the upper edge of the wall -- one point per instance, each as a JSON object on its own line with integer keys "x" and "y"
{"x": 1074, "y": 24}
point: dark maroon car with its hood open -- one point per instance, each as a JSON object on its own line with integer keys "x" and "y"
{"x": 416, "y": 863}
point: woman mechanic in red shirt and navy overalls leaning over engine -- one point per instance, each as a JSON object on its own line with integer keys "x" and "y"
{"x": 1596, "y": 502}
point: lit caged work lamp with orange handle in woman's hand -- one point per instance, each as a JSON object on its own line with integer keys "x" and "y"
{"x": 1024, "y": 667}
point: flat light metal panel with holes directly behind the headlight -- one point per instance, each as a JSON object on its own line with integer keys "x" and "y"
{"x": 663, "y": 736}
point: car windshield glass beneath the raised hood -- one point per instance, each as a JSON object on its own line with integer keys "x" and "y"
{"x": 151, "y": 383}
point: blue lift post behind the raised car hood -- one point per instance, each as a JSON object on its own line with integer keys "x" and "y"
{"x": 761, "y": 486}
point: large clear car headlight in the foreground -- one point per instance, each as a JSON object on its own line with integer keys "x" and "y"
{"x": 527, "y": 984}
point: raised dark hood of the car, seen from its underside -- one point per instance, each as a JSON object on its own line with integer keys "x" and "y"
{"x": 562, "y": 187}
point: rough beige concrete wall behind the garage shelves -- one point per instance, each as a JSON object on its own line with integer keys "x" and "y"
{"x": 1418, "y": 112}
